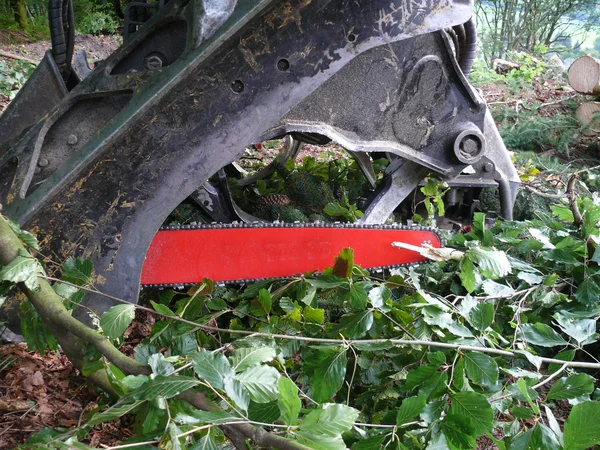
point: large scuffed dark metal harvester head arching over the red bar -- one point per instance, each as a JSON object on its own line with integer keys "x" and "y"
{"x": 100, "y": 171}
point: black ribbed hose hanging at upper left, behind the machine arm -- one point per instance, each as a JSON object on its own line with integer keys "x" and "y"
{"x": 62, "y": 34}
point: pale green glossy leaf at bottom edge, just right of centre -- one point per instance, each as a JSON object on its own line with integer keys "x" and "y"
{"x": 332, "y": 419}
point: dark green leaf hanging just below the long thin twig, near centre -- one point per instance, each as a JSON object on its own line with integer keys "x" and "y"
{"x": 327, "y": 369}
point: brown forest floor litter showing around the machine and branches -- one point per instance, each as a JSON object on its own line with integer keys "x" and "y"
{"x": 40, "y": 391}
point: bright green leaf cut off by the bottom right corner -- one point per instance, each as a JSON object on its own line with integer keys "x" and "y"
{"x": 581, "y": 428}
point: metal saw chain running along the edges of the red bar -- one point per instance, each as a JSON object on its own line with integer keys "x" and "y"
{"x": 278, "y": 224}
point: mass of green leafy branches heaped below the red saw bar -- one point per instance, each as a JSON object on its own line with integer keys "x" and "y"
{"x": 492, "y": 328}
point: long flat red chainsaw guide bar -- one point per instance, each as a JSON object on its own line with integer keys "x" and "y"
{"x": 246, "y": 252}
